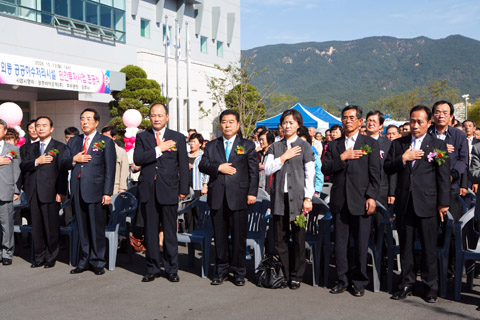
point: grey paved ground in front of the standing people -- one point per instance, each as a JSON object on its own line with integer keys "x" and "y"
{"x": 27, "y": 293}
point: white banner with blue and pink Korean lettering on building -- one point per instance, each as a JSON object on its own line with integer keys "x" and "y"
{"x": 31, "y": 72}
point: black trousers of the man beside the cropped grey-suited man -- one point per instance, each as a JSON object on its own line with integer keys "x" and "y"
{"x": 45, "y": 229}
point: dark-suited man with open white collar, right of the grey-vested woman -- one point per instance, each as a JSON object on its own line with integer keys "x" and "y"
{"x": 353, "y": 164}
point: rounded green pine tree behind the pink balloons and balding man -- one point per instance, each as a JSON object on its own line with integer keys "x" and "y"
{"x": 139, "y": 93}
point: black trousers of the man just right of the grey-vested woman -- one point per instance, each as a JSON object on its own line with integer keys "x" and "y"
{"x": 359, "y": 227}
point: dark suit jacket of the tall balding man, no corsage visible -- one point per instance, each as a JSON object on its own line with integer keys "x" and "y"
{"x": 170, "y": 169}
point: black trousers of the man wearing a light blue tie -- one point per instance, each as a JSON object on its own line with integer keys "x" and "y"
{"x": 235, "y": 223}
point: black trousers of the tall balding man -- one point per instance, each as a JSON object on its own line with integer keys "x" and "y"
{"x": 153, "y": 213}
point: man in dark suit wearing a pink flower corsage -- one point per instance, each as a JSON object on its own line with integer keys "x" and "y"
{"x": 423, "y": 193}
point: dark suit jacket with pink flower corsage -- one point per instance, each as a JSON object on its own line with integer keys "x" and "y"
{"x": 429, "y": 183}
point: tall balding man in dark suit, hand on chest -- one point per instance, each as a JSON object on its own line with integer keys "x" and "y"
{"x": 163, "y": 181}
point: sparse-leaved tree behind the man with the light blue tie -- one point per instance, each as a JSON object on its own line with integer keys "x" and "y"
{"x": 234, "y": 90}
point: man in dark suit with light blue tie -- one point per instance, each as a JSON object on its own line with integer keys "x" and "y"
{"x": 232, "y": 164}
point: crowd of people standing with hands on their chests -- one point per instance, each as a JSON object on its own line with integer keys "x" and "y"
{"x": 420, "y": 169}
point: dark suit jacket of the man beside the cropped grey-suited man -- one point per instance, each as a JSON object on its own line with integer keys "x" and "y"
{"x": 45, "y": 179}
